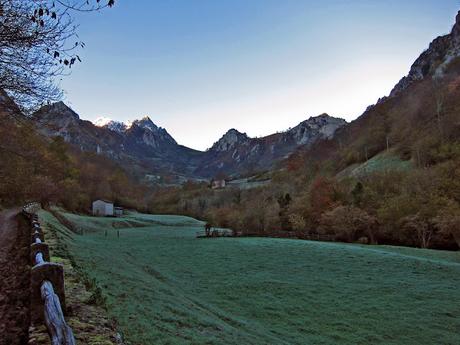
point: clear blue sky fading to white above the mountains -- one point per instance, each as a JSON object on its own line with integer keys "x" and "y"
{"x": 201, "y": 67}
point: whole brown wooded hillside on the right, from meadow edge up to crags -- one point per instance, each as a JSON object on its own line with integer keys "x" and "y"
{"x": 313, "y": 193}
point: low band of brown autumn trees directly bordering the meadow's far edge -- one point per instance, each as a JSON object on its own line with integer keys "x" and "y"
{"x": 415, "y": 208}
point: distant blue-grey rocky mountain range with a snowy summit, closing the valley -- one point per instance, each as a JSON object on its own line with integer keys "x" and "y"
{"x": 153, "y": 153}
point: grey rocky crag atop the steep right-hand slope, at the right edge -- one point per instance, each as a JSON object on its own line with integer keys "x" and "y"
{"x": 433, "y": 61}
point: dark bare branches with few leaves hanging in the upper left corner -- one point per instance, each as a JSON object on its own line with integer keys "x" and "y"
{"x": 38, "y": 44}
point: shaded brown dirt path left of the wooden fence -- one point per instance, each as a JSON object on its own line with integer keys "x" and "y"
{"x": 14, "y": 278}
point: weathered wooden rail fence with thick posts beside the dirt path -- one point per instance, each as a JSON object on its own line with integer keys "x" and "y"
{"x": 46, "y": 284}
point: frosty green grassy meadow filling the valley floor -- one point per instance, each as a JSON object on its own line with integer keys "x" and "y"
{"x": 164, "y": 286}
